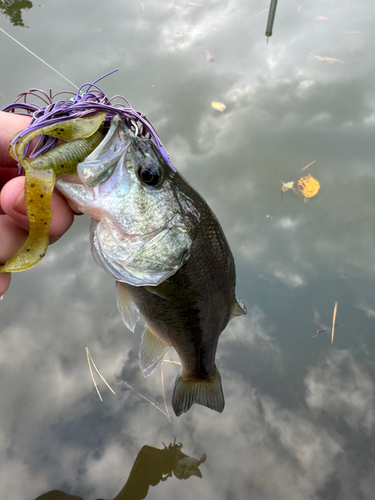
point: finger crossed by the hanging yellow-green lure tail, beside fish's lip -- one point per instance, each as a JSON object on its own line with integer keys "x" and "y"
{"x": 13, "y": 204}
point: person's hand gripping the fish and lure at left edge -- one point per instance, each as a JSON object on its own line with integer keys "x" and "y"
{"x": 13, "y": 219}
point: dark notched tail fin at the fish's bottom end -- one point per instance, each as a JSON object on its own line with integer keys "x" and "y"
{"x": 206, "y": 392}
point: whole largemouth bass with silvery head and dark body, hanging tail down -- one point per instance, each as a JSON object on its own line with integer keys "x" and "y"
{"x": 157, "y": 237}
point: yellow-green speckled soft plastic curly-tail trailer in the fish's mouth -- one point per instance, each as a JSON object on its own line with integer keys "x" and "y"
{"x": 40, "y": 176}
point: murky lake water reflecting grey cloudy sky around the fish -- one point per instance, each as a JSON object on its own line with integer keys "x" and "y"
{"x": 300, "y": 414}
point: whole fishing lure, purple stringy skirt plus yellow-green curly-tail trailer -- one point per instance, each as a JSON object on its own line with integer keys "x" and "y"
{"x": 82, "y": 121}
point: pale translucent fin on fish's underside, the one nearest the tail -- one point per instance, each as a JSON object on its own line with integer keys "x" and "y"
{"x": 152, "y": 351}
